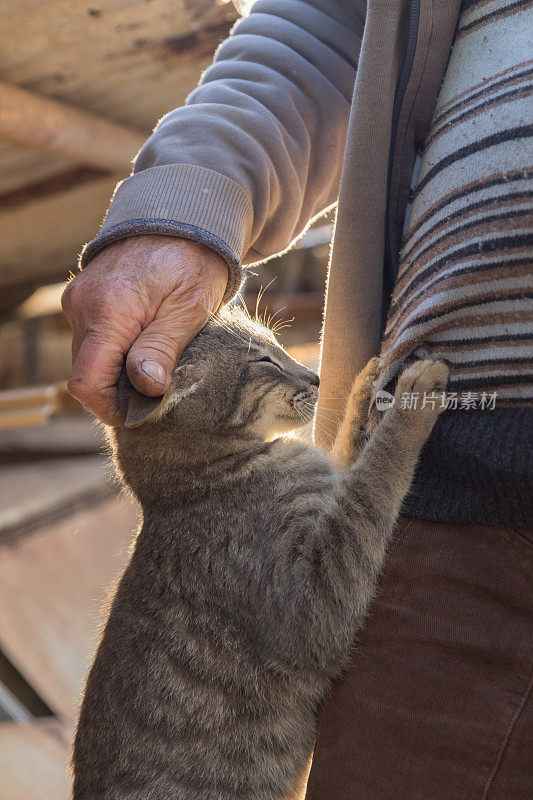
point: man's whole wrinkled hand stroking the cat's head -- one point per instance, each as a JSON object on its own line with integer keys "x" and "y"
{"x": 147, "y": 297}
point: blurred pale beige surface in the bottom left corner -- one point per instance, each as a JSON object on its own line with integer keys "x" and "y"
{"x": 34, "y": 761}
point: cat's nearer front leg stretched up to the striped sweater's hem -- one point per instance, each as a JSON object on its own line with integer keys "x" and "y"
{"x": 345, "y": 549}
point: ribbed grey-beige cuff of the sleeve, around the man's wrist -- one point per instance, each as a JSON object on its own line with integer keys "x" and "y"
{"x": 181, "y": 200}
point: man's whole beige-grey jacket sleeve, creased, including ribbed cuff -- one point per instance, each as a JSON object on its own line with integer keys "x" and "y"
{"x": 257, "y": 150}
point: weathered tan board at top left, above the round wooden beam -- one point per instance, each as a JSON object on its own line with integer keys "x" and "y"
{"x": 117, "y": 58}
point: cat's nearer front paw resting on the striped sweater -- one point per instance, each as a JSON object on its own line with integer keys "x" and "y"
{"x": 419, "y": 385}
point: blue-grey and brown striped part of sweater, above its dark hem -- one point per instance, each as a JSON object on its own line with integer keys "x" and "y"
{"x": 464, "y": 290}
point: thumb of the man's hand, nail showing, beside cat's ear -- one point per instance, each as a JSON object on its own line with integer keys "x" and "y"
{"x": 154, "y": 353}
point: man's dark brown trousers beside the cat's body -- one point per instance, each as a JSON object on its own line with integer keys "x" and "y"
{"x": 437, "y": 704}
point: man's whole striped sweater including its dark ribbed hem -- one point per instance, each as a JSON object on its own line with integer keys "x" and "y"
{"x": 464, "y": 288}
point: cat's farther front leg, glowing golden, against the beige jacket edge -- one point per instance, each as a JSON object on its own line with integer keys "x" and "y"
{"x": 349, "y": 439}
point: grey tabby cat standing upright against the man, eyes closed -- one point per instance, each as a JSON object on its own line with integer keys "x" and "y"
{"x": 254, "y": 567}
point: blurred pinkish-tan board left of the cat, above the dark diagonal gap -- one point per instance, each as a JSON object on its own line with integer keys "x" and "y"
{"x": 53, "y": 587}
